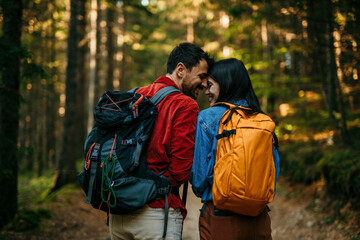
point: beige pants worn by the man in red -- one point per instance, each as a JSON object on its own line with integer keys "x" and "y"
{"x": 146, "y": 223}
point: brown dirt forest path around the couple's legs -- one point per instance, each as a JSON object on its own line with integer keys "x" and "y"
{"x": 298, "y": 212}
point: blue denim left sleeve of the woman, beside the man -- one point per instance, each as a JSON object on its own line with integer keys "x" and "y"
{"x": 199, "y": 170}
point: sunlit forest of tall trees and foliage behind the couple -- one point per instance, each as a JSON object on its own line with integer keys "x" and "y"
{"x": 58, "y": 57}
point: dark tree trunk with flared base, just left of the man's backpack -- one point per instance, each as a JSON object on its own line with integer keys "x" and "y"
{"x": 66, "y": 172}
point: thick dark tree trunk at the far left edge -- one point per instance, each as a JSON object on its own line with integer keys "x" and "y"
{"x": 9, "y": 107}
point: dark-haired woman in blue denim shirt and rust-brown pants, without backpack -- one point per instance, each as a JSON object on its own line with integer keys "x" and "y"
{"x": 228, "y": 81}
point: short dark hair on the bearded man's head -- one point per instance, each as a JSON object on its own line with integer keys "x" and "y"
{"x": 189, "y": 54}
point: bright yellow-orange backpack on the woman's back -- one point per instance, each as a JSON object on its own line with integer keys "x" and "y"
{"x": 244, "y": 171}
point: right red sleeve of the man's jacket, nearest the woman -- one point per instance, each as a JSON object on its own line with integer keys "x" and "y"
{"x": 182, "y": 143}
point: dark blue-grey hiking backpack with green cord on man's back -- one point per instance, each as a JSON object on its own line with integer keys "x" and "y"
{"x": 115, "y": 177}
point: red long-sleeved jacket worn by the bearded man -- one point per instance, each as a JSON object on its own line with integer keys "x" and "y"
{"x": 171, "y": 145}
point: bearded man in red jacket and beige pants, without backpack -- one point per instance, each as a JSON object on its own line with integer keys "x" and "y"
{"x": 171, "y": 145}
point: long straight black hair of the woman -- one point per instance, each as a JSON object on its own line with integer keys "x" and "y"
{"x": 235, "y": 83}
